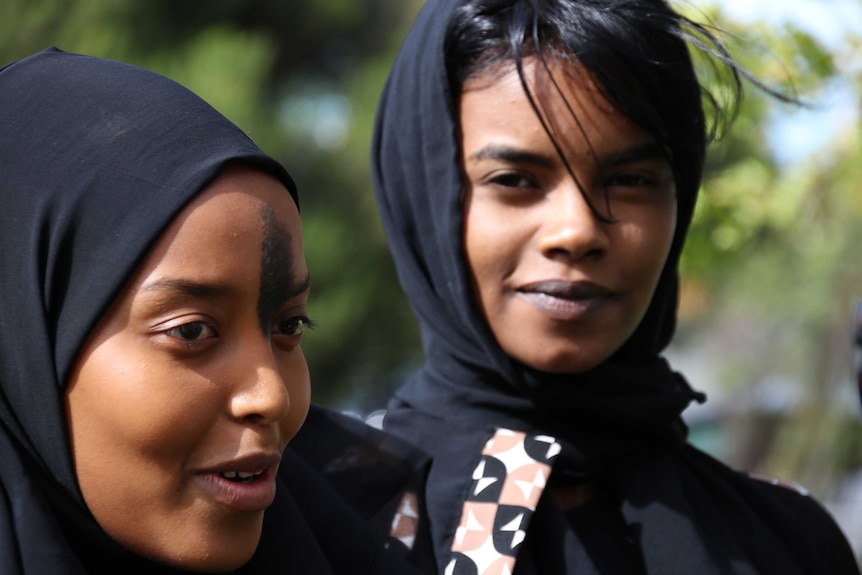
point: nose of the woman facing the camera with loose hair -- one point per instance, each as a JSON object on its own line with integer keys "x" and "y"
{"x": 570, "y": 228}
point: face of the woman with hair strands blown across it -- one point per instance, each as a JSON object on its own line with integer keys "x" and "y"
{"x": 560, "y": 289}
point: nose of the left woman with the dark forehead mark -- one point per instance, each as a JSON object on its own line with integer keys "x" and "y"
{"x": 262, "y": 395}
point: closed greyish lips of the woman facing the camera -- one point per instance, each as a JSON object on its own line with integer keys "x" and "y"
{"x": 566, "y": 301}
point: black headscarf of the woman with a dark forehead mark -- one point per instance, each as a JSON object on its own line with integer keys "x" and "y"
{"x": 96, "y": 158}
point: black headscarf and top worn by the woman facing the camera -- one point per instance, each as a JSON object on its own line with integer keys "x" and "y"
{"x": 617, "y": 426}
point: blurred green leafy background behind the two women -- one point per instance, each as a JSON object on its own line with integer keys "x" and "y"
{"x": 772, "y": 270}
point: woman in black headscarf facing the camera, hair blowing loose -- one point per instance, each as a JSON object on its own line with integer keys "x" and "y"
{"x": 536, "y": 166}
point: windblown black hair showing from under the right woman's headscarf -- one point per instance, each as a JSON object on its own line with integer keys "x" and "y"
{"x": 636, "y": 50}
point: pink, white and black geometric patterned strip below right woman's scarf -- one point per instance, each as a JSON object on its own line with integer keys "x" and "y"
{"x": 507, "y": 484}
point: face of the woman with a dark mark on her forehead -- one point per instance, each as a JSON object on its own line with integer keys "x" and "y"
{"x": 187, "y": 392}
